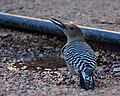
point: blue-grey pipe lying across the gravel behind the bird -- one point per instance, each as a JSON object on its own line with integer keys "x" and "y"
{"x": 23, "y": 22}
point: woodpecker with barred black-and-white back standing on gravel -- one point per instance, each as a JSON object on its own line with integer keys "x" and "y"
{"x": 78, "y": 55}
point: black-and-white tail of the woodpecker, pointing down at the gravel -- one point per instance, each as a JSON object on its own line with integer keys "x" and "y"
{"x": 86, "y": 81}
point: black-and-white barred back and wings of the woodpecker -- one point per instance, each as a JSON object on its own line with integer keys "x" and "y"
{"x": 79, "y": 55}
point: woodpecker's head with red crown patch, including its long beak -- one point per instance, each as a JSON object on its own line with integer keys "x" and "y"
{"x": 71, "y": 30}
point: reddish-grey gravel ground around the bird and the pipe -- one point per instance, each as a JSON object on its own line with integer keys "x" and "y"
{"x": 26, "y": 81}
